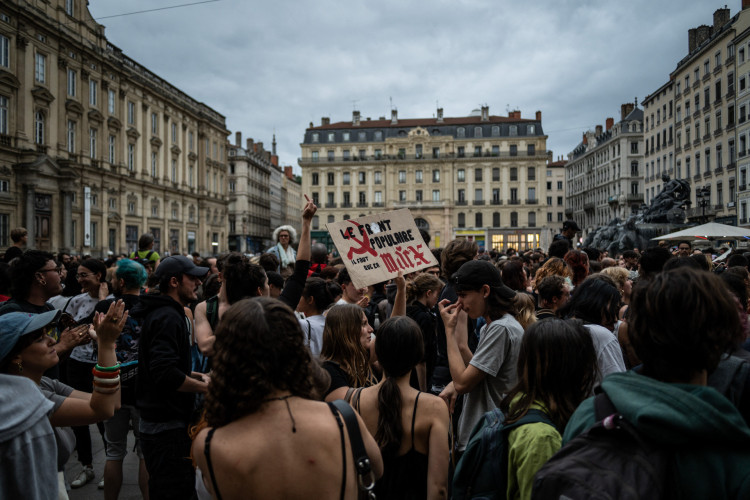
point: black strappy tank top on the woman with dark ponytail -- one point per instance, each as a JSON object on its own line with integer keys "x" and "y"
{"x": 404, "y": 476}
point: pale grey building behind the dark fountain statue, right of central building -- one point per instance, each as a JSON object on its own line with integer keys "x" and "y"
{"x": 604, "y": 172}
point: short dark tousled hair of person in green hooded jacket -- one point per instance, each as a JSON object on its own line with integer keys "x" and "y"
{"x": 682, "y": 321}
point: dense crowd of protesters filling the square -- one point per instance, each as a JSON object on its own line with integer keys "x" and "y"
{"x": 224, "y": 368}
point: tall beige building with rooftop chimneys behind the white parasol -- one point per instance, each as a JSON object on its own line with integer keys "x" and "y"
{"x": 708, "y": 112}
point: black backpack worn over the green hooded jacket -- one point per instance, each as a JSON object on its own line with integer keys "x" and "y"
{"x": 611, "y": 460}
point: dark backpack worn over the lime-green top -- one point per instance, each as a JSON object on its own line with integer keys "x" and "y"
{"x": 482, "y": 471}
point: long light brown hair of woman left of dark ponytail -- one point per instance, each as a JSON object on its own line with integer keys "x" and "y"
{"x": 341, "y": 343}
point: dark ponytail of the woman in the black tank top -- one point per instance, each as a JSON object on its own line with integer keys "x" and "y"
{"x": 400, "y": 348}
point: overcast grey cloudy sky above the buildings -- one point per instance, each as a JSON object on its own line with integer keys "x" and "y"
{"x": 279, "y": 65}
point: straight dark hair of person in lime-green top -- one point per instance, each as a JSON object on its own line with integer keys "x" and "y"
{"x": 556, "y": 366}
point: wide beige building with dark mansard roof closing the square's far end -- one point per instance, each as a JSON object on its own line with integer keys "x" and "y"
{"x": 480, "y": 177}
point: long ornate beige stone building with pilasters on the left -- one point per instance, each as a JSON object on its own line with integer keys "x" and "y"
{"x": 96, "y": 149}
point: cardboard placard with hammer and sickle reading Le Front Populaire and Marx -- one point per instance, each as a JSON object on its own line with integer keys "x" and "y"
{"x": 376, "y": 247}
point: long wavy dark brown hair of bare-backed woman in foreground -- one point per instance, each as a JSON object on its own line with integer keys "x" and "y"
{"x": 259, "y": 349}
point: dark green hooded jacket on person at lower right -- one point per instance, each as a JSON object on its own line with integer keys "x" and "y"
{"x": 713, "y": 460}
